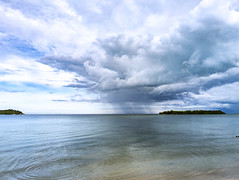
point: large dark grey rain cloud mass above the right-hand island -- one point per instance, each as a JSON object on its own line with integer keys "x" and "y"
{"x": 134, "y": 69}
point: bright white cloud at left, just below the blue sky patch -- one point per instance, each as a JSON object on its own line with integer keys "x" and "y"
{"x": 27, "y": 70}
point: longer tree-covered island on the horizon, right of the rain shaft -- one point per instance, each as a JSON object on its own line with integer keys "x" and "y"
{"x": 193, "y": 112}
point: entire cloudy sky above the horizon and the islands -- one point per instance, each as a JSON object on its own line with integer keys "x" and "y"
{"x": 110, "y": 56}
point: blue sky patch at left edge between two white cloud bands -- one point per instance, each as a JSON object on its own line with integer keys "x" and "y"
{"x": 12, "y": 45}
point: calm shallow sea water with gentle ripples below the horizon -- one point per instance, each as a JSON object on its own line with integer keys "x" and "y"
{"x": 115, "y": 147}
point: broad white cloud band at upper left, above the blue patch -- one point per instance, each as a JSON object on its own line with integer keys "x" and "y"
{"x": 58, "y": 35}
